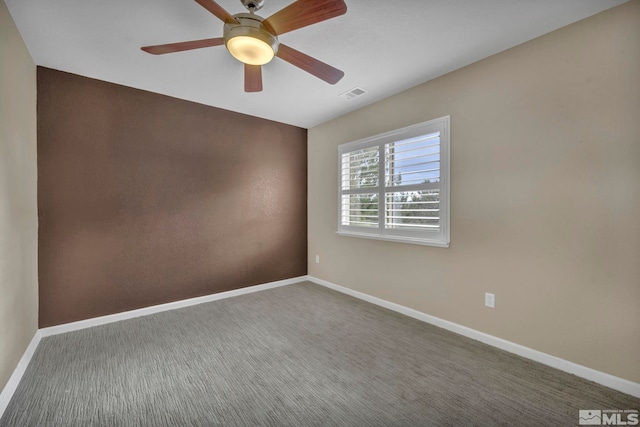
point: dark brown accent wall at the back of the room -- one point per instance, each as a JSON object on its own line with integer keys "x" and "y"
{"x": 145, "y": 199}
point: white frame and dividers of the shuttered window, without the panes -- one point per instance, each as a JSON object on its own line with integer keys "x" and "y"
{"x": 439, "y": 238}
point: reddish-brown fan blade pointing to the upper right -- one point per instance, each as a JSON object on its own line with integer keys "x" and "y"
{"x": 303, "y": 13}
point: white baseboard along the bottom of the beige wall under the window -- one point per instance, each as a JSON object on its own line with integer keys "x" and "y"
{"x": 607, "y": 380}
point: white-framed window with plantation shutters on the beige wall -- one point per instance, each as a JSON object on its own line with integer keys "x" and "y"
{"x": 395, "y": 186}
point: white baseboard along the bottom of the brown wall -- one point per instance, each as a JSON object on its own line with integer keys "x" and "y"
{"x": 102, "y": 320}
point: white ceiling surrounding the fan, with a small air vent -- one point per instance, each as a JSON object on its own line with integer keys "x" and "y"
{"x": 382, "y": 46}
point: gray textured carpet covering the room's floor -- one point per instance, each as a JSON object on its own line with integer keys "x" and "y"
{"x": 299, "y": 355}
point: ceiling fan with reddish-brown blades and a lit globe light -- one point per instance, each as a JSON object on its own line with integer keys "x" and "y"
{"x": 254, "y": 40}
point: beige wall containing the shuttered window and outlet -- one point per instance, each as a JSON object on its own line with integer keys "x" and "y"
{"x": 545, "y": 202}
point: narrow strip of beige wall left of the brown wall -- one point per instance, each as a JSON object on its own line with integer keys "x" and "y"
{"x": 18, "y": 212}
